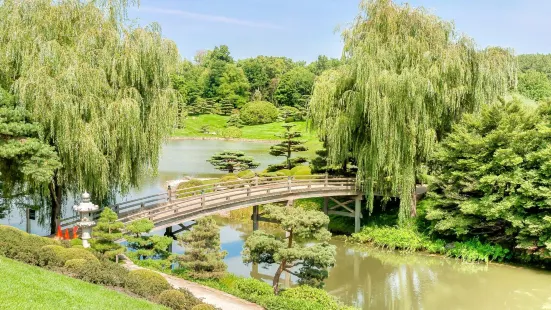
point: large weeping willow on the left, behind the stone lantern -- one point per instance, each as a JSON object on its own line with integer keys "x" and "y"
{"x": 100, "y": 90}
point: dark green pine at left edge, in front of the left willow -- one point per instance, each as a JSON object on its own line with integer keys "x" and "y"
{"x": 26, "y": 163}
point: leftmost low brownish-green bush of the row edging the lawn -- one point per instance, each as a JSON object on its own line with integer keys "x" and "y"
{"x": 21, "y": 246}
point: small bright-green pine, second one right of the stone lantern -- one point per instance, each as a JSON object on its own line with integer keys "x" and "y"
{"x": 146, "y": 245}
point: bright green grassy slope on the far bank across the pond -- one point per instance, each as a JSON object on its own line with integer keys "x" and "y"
{"x": 217, "y": 124}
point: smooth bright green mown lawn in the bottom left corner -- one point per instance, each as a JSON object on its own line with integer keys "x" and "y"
{"x": 29, "y": 287}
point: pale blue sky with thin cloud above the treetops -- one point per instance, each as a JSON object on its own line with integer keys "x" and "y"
{"x": 303, "y": 29}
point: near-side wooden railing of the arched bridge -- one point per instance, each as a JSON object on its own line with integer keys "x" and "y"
{"x": 212, "y": 199}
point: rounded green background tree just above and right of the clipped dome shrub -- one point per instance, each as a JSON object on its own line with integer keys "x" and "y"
{"x": 295, "y": 88}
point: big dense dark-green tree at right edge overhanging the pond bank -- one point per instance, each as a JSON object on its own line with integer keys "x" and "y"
{"x": 492, "y": 179}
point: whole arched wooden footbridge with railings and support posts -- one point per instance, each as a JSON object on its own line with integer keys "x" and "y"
{"x": 175, "y": 207}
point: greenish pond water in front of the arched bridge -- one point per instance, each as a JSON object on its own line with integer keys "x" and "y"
{"x": 373, "y": 279}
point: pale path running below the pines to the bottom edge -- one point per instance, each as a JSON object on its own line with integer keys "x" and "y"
{"x": 209, "y": 295}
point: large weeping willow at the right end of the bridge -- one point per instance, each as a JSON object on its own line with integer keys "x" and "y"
{"x": 407, "y": 76}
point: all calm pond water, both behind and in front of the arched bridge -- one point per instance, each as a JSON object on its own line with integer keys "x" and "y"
{"x": 366, "y": 278}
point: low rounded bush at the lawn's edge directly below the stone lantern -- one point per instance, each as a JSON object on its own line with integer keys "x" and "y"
{"x": 105, "y": 273}
